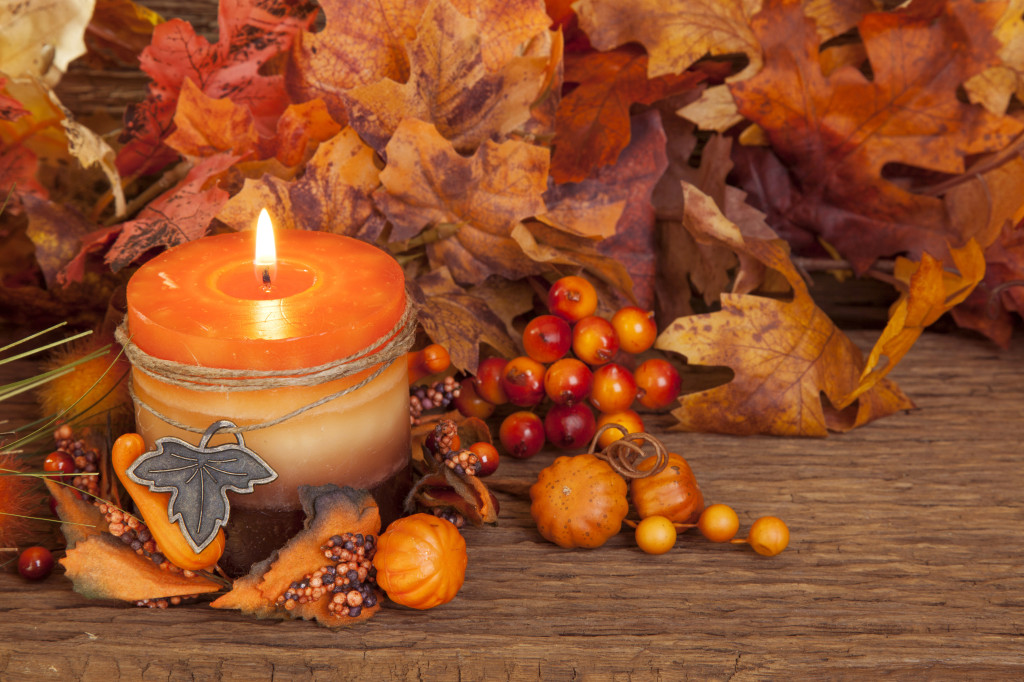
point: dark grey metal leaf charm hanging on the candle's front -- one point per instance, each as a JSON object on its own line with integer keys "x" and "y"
{"x": 198, "y": 479}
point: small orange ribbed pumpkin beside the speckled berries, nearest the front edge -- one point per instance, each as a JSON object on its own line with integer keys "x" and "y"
{"x": 421, "y": 562}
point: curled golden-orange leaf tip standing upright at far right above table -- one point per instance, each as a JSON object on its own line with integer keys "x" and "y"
{"x": 931, "y": 291}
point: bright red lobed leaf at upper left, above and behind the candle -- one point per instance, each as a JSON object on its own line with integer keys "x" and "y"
{"x": 252, "y": 33}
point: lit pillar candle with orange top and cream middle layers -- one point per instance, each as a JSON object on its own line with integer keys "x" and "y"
{"x": 323, "y": 297}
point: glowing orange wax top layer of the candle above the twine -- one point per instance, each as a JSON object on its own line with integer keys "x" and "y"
{"x": 202, "y": 304}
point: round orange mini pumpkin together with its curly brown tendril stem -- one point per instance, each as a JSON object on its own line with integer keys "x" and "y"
{"x": 581, "y": 501}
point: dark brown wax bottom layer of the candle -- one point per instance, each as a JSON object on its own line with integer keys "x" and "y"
{"x": 254, "y": 534}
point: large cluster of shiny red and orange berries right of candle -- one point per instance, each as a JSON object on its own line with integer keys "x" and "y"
{"x": 570, "y": 362}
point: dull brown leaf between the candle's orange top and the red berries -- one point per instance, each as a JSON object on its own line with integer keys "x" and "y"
{"x": 459, "y": 321}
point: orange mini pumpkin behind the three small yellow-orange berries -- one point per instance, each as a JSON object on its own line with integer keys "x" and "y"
{"x": 672, "y": 493}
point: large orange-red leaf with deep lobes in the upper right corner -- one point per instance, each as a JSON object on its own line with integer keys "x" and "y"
{"x": 835, "y": 135}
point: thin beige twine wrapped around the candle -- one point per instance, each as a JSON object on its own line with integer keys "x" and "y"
{"x": 391, "y": 348}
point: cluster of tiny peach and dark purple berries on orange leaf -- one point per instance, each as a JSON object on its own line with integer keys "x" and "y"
{"x": 349, "y": 581}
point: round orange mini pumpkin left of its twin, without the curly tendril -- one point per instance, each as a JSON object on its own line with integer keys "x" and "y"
{"x": 579, "y": 502}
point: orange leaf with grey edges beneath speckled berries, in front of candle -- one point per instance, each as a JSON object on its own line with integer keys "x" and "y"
{"x": 330, "y": 510}
